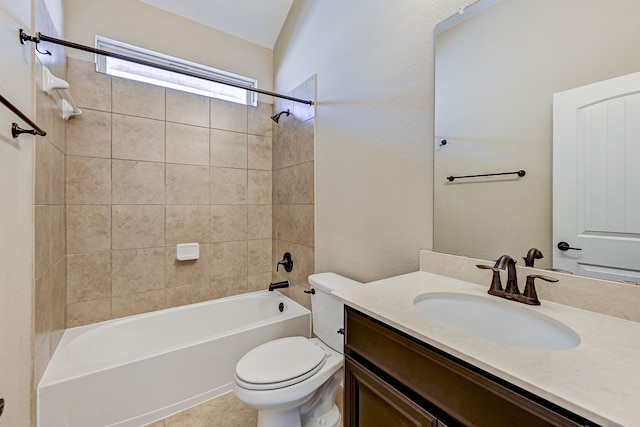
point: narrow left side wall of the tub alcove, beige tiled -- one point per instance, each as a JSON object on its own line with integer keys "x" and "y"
{"x": 50, "y": 276}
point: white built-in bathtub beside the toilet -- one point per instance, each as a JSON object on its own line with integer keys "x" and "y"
{"x": 143, "y": 368}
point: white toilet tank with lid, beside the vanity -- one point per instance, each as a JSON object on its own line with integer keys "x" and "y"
{"x": 327, "y": 311}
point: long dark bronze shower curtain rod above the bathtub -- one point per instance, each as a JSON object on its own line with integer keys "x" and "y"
{"x": 24, "y": 37}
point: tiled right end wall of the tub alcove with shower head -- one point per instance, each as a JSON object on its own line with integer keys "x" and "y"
{"x": 293, "y": 190}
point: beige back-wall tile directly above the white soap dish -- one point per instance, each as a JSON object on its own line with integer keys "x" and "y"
{"x": 187, "y": 223}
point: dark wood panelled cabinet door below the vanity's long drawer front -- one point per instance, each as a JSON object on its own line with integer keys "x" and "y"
{"x": 371, "y": 402}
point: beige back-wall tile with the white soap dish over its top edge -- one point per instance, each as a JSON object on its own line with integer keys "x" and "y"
{"x": 180, "y": 273}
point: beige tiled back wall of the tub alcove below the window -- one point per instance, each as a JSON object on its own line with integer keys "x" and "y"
{"x": 147, "y": 168}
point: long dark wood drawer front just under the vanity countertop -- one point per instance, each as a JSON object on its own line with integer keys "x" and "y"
{"x": 467, "y": 397}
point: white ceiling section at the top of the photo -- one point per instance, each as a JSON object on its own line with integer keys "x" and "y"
{"x": 258, "y": 21}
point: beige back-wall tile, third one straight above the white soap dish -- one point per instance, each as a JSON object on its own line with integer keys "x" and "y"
{"x": 187, "y": 144}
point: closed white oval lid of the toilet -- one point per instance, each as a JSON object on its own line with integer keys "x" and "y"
{"x": 286, "y": 360}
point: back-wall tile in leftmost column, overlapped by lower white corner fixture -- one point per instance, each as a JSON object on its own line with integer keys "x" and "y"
{"x": 89, "y": 134}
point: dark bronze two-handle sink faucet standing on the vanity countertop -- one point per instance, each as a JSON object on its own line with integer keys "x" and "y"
{"x": 512, "y": 291}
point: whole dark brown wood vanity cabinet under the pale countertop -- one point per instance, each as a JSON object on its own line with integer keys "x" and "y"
{"x": 394, "y": 380}
